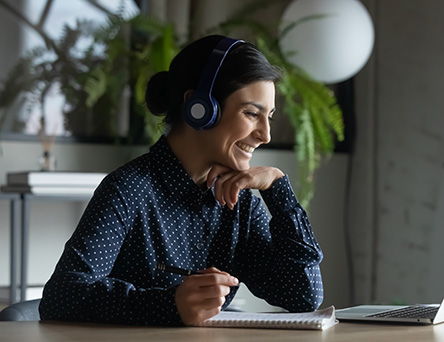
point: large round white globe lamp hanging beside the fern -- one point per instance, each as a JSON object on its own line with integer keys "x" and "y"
{"x": 335, "y": 45}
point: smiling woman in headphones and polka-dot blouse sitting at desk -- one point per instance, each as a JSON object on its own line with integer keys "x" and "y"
{"x": 188, "y": 203}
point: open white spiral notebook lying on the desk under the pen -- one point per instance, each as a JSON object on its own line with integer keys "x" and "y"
{"x": 316, "y": 320}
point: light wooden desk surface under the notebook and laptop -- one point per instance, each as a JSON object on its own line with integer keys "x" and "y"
{"x": 344, "y": 332}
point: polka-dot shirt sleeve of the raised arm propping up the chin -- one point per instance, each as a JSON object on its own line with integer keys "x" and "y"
{"x": 280, "y": 261}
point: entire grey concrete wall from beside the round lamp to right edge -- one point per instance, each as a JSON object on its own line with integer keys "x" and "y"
{"x": 399, "y": 163}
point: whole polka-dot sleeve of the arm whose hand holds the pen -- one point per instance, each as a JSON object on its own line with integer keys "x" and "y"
{"x": 82, "y": 287}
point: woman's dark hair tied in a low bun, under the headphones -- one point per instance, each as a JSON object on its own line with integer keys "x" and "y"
{"x": 243, "y": 65}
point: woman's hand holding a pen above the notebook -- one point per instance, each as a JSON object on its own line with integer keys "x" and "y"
{"x": 201, "y": 296}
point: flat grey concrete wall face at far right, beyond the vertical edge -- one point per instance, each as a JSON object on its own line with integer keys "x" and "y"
{"x": 410, "y": 150}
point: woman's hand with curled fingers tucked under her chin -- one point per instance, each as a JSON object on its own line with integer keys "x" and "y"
{"x": 228, "y": 183}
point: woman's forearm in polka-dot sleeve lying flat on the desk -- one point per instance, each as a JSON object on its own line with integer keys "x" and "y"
{"x": 72, "y": 296}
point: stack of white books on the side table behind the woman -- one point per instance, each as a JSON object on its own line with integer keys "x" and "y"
{"x": 53, "y": 182}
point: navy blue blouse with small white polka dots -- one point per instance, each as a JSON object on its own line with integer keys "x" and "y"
{"x": 150, "y": 211}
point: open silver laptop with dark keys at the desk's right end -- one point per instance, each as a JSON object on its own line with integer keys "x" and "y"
{"x": 418, "y": 313}
